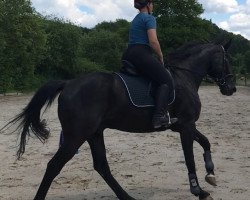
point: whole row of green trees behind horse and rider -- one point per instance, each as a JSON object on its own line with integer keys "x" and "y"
{"x": 35, "y": 48}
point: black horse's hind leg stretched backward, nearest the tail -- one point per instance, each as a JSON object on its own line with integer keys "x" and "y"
{"x": 62, "y": 156}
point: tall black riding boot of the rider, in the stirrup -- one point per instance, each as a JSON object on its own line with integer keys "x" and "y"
{"x": 161, "y": 115}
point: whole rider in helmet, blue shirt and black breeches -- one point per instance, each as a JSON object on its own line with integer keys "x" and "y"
{"x": 142, "y": 40}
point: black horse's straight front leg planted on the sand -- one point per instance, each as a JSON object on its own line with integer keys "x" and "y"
{"x": 187, "y": 139}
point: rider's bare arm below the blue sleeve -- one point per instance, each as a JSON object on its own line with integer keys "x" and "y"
{"x": 154, "y": 43}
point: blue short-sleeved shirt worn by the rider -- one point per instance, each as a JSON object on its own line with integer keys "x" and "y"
{"x": 139, "y": 27}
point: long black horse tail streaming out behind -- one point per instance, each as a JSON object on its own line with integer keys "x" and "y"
{"x": 30, "y": 117}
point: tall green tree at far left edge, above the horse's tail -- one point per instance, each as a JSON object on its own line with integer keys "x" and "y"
{"x": 23, "y": 40}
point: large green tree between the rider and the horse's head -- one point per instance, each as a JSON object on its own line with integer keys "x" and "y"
{"x": 179, "y": 22}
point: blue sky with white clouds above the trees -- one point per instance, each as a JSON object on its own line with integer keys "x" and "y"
{"x": 230, "y": 15}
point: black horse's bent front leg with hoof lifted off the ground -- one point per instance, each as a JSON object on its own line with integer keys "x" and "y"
{"x": 204, "y": 142}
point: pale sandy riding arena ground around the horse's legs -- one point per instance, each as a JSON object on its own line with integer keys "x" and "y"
{"x": 149, "y": 166}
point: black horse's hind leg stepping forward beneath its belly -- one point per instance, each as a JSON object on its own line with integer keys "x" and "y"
{"x": 101, "y": 165}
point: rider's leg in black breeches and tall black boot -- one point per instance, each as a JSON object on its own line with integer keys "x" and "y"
{"x": 141, "y": 56}
